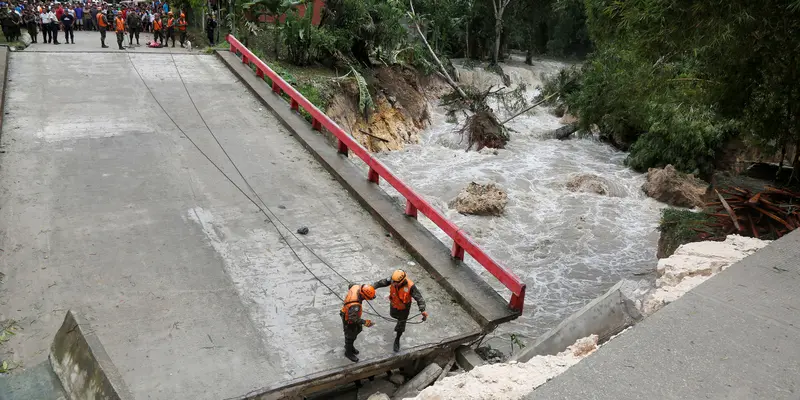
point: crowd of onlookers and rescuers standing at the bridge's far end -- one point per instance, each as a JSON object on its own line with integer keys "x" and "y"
{"x": 52, "y": 17}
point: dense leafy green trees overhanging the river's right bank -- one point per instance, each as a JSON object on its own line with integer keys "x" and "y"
{"x": 674, "y": 80}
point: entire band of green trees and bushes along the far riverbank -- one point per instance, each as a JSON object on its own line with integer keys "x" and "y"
{"x": 672, "y": 81}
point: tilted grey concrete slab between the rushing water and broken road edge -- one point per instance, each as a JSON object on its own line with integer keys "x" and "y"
{"x": 605, "y": 316}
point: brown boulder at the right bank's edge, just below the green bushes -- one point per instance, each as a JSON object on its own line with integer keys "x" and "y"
{"x": 669, "y": 186}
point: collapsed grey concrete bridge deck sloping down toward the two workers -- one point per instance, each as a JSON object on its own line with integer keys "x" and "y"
{"x": 108, "y": 209}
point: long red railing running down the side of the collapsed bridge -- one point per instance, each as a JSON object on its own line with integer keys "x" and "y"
{"x": 414, "y": 202}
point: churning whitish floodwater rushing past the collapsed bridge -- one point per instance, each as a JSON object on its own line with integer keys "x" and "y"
{"x": 568, "y": 247}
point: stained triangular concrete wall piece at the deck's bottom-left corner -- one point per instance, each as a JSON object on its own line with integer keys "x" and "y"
{"x": 82, "y": 365}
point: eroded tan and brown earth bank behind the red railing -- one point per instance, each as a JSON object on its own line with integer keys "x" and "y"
{"x": 401, "y": 111}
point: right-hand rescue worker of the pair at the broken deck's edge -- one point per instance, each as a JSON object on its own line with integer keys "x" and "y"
{"x": 401, "y": 291}
